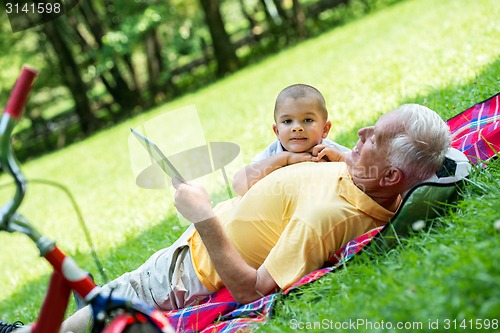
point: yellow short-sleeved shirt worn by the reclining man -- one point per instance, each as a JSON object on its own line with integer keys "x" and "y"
{"x": 292, "y": 221}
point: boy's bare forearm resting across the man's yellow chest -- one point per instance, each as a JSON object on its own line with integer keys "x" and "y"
{"x": 247, "y": 176}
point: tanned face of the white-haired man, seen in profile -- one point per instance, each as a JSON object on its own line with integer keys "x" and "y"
{"x": 367, "y": 162}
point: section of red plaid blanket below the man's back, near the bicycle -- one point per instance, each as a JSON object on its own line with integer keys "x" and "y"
{"x": 222, "y": 314}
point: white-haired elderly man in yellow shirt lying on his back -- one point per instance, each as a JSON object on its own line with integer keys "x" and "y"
{"x": 289, "y": 223}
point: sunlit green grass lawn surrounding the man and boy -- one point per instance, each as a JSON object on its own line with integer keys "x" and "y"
{"x": 442, "y": 54}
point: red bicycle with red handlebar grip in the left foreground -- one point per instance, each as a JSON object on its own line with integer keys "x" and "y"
{"x": 110, "y": 314}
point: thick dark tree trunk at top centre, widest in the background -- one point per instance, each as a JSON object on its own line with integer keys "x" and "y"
{"x": 224, "y": 51}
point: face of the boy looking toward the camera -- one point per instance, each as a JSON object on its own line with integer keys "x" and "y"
{"x": 300, "y": 124}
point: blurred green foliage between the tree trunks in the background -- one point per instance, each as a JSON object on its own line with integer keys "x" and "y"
{"x": 115, "y": 67}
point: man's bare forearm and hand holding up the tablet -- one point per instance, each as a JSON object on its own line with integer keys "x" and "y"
{"x": 245, "y": 283}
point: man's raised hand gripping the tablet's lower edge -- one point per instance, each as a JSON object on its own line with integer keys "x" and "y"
{"x": 192, "y": 201}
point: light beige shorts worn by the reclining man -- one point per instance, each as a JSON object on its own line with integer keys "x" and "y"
{"x": 166, "y": 281}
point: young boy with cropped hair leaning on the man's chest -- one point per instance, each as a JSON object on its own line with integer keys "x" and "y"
{"x": 301, "y": 126}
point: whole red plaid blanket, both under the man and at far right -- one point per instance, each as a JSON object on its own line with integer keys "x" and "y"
{"x": 476, "y": 132}
